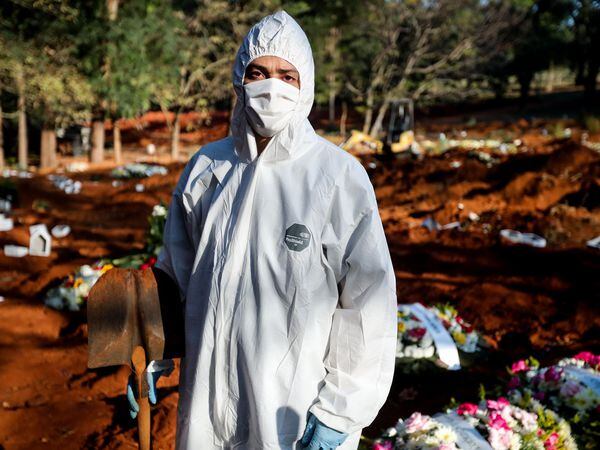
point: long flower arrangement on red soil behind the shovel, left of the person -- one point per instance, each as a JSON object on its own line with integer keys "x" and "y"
{"x": 72, "y": 293}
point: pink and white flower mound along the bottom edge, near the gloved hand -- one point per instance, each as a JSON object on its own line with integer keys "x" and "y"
{"x": 491, "y": 424}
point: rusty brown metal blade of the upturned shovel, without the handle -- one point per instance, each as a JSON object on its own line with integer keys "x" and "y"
{"x": 123, "y": 313}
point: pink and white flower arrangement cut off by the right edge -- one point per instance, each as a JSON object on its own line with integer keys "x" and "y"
{"x": 571, "y": 388}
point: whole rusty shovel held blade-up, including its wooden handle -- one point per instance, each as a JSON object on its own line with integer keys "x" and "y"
{"x": 125, "y": 327}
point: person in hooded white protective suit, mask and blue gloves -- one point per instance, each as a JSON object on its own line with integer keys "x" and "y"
{"x": 276, "y": 245}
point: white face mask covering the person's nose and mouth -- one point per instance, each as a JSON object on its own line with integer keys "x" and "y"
{"x": 270, "y": 105}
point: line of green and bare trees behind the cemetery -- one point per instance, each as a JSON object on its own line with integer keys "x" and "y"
{"x": 68, "y": 62}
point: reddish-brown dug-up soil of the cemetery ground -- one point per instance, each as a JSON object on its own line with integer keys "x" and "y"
{"x": 524, "y": 300}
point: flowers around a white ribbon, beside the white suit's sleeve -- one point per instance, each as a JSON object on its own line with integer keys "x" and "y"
{"x": 415, "y": 338}
